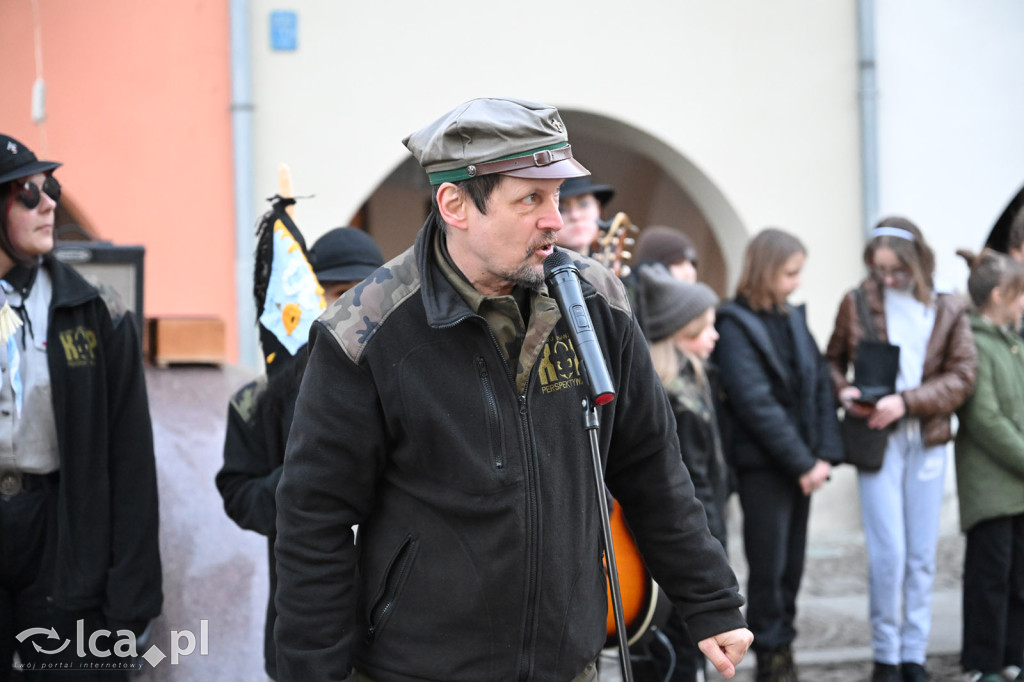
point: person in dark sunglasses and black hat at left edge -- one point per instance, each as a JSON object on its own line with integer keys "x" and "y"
{"x": 78, "y": 484}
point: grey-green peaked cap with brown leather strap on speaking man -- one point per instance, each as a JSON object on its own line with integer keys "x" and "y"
{"x": 496, "y": 136}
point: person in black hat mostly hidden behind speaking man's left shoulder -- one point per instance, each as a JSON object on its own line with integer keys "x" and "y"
{"x": 260, "y": 415}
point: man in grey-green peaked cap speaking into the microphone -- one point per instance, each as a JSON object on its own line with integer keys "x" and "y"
{"x": 441, "y": 414}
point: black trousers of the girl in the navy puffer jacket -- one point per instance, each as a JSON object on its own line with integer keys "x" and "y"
{"x": 776, "y": 514}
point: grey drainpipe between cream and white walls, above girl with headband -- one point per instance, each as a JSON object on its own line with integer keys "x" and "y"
{"x": 869, "y": 115}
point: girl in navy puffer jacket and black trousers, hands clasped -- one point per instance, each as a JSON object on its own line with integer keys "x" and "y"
{"x": 783, "y": 436}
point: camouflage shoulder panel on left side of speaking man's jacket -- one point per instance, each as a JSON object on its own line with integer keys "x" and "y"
{"x": 356, "y": 317}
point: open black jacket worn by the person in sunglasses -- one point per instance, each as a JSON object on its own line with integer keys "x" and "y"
{"x": 108, "y": 530}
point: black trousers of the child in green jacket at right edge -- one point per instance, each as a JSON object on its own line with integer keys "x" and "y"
{"x": 994, "y": 595}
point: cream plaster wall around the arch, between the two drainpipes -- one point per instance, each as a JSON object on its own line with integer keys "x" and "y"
{"x": 760, "y": 98}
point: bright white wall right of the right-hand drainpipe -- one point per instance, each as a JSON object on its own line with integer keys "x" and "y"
{"x": 951, "y": 119}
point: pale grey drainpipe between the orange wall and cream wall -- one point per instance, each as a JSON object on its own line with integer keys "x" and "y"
{"x": 242, "y": 134}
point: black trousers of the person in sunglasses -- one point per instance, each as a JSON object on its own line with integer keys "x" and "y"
{"x": 28, "y": 555}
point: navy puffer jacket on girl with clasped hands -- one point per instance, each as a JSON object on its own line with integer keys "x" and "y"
{"x": 774, "y": 418}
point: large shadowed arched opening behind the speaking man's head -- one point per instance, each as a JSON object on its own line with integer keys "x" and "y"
{"x": 655, "y": 185}
